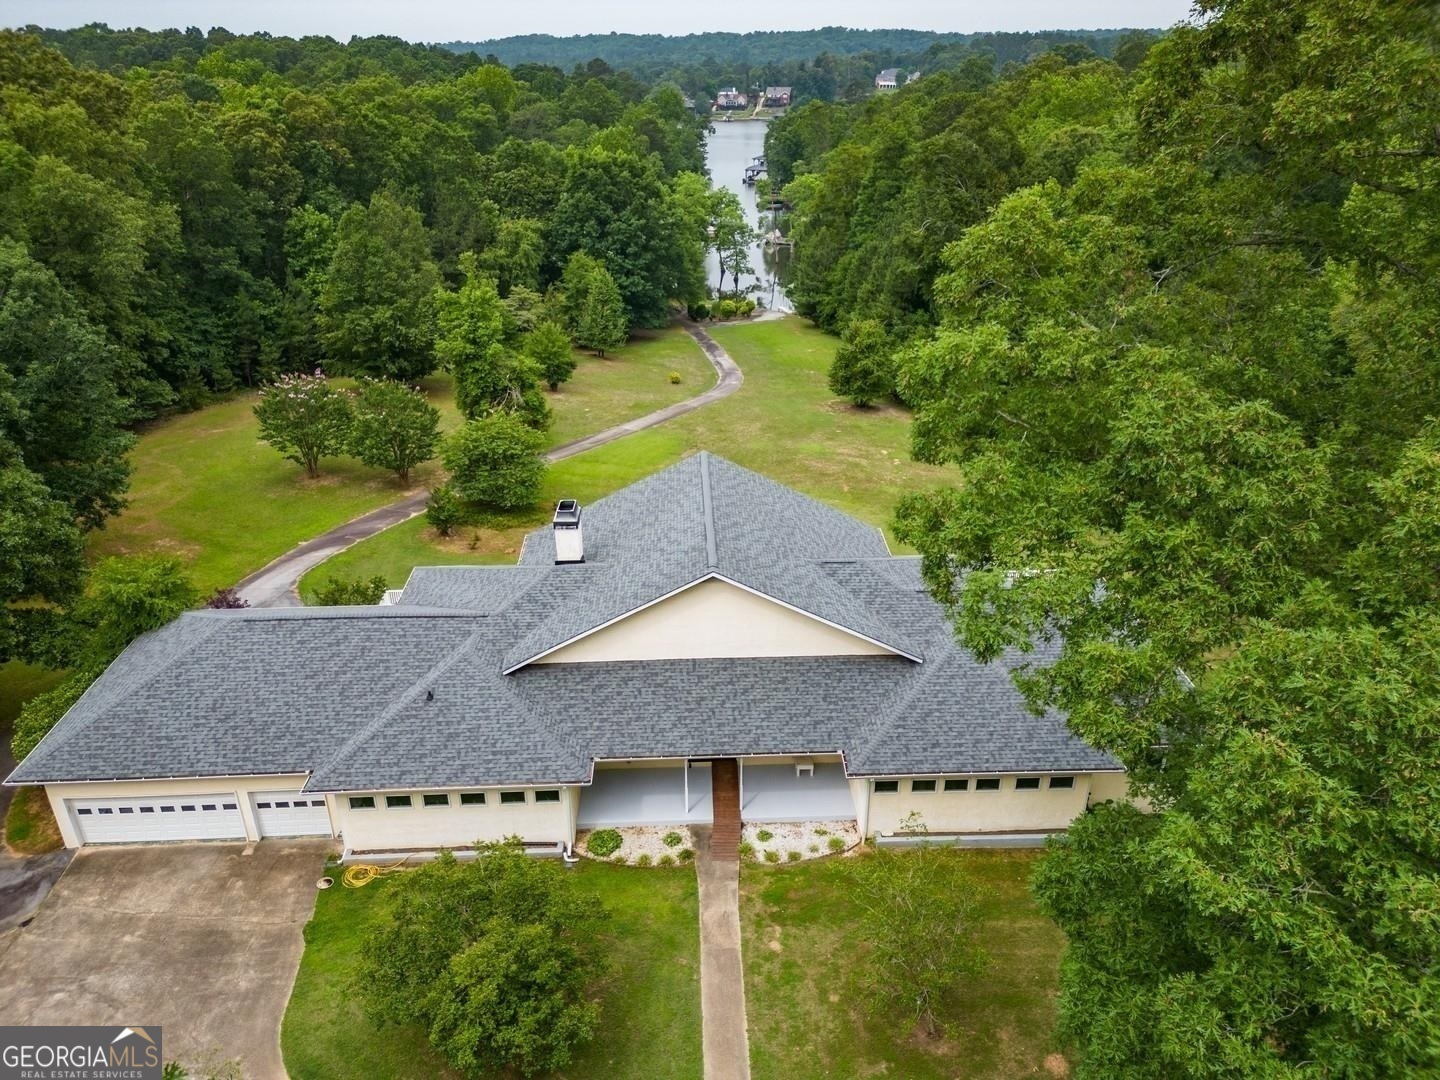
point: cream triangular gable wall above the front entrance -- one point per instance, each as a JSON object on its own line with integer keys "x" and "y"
{"x": 714, "y": 620}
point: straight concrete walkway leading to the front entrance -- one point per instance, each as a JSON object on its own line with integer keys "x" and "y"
{"x": 722, "y": 973}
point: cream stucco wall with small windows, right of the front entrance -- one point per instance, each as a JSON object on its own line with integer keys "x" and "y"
{"x": 978, "y": 811}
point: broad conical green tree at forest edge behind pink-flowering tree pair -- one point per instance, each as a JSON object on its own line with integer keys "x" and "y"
{"x": 375, "y": 307}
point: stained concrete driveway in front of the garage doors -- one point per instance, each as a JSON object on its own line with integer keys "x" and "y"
{"x": 202, "y": 940}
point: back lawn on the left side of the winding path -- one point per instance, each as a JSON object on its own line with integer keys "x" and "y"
{"x": 208, "y": 490}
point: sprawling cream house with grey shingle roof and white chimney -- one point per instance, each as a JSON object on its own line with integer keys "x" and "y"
{"x": 702, "y": 627}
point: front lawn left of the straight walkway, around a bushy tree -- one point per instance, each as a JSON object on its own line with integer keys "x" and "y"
{"x": 650, "y": 1025}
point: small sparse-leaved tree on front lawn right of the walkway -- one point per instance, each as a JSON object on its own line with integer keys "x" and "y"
{"x": 919, "y": 918}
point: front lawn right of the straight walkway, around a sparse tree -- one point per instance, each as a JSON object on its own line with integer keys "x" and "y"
{"x": 809, "y": 1019}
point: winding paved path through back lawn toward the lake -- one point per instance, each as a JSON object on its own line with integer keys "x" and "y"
{"x": 277, "y": 585}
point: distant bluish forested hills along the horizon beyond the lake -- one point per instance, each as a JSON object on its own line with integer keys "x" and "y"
{"x": 832, "y": 64}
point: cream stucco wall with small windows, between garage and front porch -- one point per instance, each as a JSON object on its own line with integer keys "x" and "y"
{"x": 421, "y": 827}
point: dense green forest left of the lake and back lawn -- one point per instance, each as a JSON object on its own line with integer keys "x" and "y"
{"x": 185, "y": 214}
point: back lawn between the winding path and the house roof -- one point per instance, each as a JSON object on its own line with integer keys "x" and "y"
{"x": 784, "y": 423}
